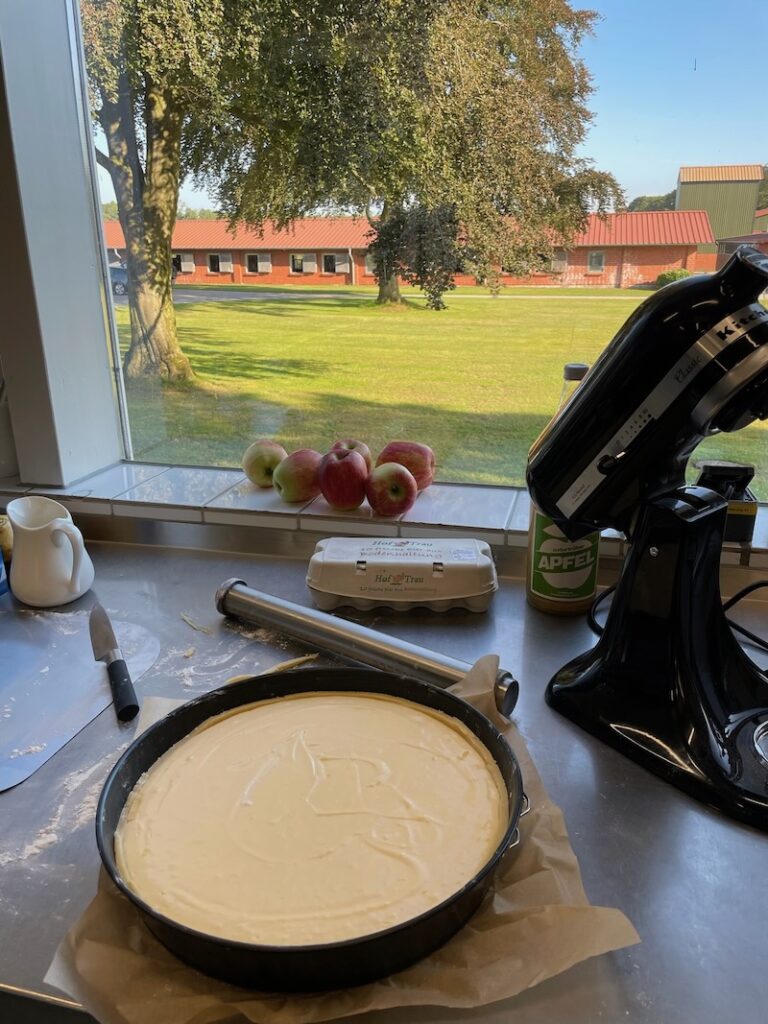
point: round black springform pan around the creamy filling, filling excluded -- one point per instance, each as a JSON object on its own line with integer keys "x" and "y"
{"x": 333, "y": 965}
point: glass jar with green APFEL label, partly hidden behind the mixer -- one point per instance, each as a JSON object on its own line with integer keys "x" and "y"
{"x": 562, "y": 575}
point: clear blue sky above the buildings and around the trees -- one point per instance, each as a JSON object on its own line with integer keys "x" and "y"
{"x": 677, "y": 82}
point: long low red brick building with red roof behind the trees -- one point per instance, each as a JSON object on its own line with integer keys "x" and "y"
{"x": 620, "y": 251}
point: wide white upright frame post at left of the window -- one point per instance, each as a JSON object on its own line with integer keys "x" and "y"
{"x": 63, "y": 309}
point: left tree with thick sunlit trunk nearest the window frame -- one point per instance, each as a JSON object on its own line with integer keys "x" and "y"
{"x": 154, "y": 70}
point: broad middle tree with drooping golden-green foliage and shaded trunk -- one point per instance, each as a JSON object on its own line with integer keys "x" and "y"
{"x": 477, "y": 107}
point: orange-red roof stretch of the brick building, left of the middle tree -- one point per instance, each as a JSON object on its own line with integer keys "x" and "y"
{"x": 310, "y": 234}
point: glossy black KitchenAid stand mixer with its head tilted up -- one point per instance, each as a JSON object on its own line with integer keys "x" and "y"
{"x": 668, "y": 685}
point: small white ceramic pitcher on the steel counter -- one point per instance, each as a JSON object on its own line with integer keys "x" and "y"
{"x": 51, "y": 565}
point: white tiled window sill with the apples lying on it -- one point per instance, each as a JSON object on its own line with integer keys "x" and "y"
{"x": 225, "y": 497}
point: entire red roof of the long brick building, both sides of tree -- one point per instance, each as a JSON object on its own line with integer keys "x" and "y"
{"x": 678, "y": 228}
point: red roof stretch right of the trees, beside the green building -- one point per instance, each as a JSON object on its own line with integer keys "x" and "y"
{"x": 671, "y": 228}
